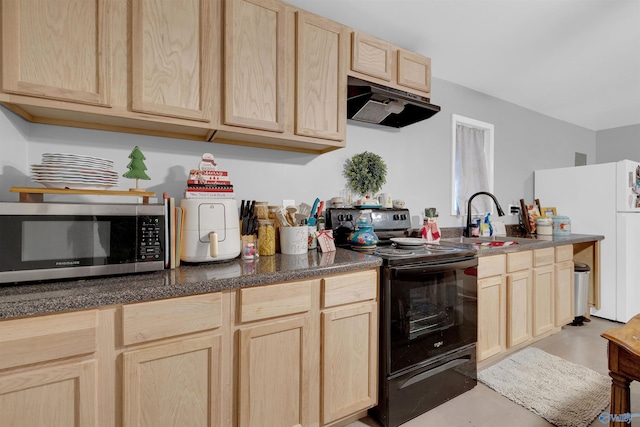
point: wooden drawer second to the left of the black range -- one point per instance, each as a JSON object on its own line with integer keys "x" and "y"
{"x": 269, "y": 301}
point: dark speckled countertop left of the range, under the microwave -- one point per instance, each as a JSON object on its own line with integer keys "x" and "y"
{"x": 54, "y": 297}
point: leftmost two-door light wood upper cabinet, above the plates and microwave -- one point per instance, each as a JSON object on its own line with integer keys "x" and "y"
{"x": 144, "y": 67}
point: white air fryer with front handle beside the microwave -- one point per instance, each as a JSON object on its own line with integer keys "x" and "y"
{"x": 210, "y": 230}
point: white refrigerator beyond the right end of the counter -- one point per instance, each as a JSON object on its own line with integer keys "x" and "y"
{"x": 603, "y": 199}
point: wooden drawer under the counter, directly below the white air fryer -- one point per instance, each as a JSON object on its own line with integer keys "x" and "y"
{"x": 147, "y": 321}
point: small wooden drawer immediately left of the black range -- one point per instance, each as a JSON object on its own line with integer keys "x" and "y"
{"x": 349, "y": 288}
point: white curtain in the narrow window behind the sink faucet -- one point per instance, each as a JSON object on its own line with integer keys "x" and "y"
{"x": 471, "y": 164}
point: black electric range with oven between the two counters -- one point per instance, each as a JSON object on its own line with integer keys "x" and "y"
{"x": 428, "y": 315}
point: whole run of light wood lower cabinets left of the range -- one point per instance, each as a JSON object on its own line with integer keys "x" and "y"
{"x": 295, "y": 353}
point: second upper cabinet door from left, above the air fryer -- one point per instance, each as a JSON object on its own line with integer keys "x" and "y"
{"x": 171, "y": 58}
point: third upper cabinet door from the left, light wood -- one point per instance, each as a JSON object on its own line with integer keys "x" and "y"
{"x": 254, "y": 64}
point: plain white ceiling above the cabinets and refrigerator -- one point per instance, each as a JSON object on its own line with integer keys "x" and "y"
{"x": 574, "y": 60}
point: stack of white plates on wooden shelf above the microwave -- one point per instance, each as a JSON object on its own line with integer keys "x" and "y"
{"x": 74, "y": 171}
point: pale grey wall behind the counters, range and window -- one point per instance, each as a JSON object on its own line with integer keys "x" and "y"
{"x": 418, "y": 157}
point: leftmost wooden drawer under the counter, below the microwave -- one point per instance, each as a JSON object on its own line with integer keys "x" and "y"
{"x": 39, "y": 339}
